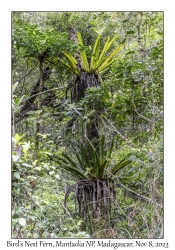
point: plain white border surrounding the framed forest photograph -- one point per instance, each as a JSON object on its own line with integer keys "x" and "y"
{"x": 5, "y": 100}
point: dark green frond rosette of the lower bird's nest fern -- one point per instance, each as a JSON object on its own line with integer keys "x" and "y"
{"x": 92, "y": 163}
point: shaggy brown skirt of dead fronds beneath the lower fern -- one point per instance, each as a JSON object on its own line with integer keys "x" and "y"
{"x": 95, "y": 199}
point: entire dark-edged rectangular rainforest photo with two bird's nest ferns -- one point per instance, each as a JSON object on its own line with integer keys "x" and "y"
{"x": 87, "y": 124}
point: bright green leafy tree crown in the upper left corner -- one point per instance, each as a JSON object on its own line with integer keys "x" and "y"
{"x": 33, "y": 40}
